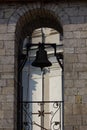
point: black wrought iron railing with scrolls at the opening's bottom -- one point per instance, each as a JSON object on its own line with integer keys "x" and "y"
{"x": 46, "y": 115}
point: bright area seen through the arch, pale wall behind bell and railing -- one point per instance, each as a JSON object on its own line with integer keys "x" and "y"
{"x": 42, "y": 87}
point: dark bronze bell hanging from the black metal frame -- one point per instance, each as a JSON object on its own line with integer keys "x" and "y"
{"x": 41, "y": 58}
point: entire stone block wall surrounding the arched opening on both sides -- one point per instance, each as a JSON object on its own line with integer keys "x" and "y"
{"x": 73, "y": 17}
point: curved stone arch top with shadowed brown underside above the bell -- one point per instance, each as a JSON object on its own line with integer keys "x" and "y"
{"x": 27, "y": 15}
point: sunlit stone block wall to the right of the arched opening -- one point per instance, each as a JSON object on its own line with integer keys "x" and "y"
{"x": 75, "y": 88}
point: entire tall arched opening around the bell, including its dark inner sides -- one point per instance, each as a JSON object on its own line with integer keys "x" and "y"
{"x": 27, "y": 95}
